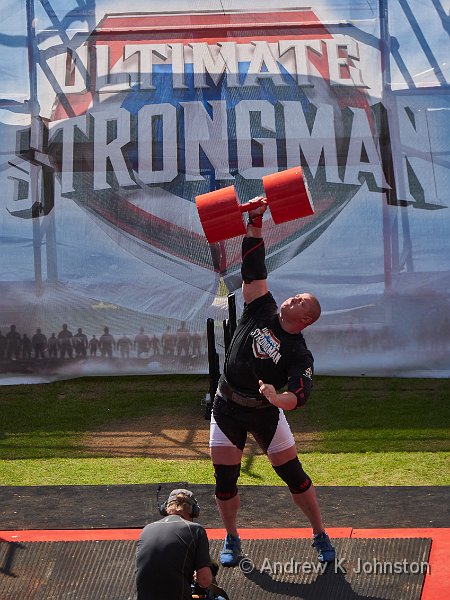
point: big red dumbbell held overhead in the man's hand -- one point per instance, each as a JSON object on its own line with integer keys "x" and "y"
{"x": 287, "y": 196}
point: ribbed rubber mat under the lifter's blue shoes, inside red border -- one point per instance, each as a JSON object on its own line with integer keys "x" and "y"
{"x": 270, "y": 570}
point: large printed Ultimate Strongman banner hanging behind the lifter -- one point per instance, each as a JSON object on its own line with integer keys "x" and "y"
{"x": 115, "y": 116}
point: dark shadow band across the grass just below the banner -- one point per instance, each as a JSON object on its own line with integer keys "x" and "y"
{"x": 162, "y": 417}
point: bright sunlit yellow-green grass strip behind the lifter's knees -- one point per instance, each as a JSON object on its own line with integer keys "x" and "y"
{"x": 370, "y": 468}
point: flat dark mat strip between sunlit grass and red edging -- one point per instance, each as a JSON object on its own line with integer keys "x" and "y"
{"x": 96, "y": 506}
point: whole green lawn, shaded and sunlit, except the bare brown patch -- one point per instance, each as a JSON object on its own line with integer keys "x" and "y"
{"x": 353, "y": 431}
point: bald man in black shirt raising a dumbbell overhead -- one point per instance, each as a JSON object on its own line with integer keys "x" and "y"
{"x": 267, "y": 353}
